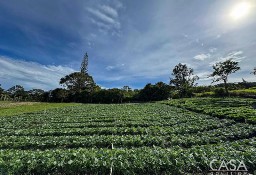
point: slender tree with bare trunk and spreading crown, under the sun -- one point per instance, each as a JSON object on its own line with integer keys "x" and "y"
{"x": 222, "y": 70}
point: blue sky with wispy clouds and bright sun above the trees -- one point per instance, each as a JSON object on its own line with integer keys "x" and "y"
{"x": 128, "y": 42}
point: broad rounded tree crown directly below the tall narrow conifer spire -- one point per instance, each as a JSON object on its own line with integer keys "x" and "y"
{"x": 76, "y": 82}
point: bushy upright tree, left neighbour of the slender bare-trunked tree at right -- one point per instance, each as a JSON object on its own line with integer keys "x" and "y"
{"x": 183, "y": 80}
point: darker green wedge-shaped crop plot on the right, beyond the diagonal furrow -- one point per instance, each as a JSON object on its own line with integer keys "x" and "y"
{"x": 240, "y": 109}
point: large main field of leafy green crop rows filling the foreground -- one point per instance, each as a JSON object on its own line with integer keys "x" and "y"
{"x": 149, "y": 138}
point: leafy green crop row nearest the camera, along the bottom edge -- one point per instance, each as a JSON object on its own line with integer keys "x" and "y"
{"x": 142, "y": 160}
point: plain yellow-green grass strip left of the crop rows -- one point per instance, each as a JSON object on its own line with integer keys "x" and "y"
{"x": 16, "y": 108}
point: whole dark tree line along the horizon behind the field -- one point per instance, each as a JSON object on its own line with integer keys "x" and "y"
{"x": 80, "y": 87}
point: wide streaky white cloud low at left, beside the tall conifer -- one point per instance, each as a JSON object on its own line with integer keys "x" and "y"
{"x": 31, "y": 74}
